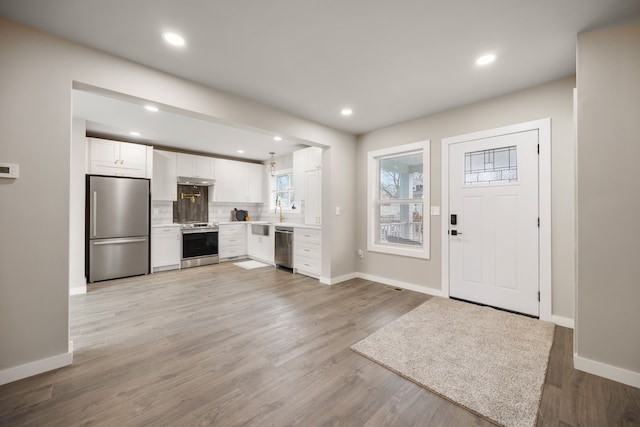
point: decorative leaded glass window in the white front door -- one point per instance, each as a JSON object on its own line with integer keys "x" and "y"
{"x": 496, "y": 165}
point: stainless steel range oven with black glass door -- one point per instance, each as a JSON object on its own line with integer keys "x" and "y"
{"x": 199, "y": 245}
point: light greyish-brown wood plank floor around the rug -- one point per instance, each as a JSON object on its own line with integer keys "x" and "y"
{"x": 219, "y": 345}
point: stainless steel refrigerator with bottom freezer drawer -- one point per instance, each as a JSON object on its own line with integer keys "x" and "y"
{"x": 117, "y": 227}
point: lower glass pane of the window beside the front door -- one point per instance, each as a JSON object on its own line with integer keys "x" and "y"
{"x": 401, "y": 223}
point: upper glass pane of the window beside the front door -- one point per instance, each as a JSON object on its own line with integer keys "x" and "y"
{"x": 401, "y": 177}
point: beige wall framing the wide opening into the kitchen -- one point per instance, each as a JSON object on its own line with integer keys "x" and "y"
{"x": 38, "y": 73}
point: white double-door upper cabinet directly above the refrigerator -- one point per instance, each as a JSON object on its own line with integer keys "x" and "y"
{"x": 120, "y": 158}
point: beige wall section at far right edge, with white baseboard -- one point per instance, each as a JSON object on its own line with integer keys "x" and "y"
{"x": 607, "y": 333}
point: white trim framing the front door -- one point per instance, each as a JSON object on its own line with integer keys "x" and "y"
{"x": 543, "y": 126}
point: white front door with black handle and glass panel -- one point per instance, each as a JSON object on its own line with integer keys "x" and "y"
{"x": 493, "y": 201}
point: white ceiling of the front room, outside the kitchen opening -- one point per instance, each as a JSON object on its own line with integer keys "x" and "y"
{"x": 390, "y": 61}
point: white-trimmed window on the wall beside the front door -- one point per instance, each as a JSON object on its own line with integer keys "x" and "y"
{"x": 398, "y": 200}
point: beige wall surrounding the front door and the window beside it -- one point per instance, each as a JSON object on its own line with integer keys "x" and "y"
{"x": 554, "y": 100}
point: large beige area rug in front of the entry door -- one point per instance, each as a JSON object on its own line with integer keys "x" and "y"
{"x": 489, "y": 361}
